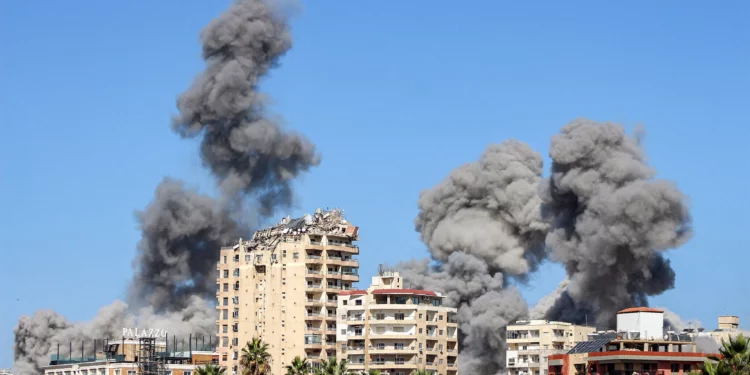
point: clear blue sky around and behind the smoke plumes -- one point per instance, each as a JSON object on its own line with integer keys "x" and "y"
{"x": 394, "y": 94}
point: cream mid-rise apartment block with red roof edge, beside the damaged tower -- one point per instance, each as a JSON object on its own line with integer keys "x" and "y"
{"x": 396, "y": 330}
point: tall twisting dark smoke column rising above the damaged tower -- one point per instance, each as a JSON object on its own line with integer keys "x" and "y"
{"x": 247, "y": 150}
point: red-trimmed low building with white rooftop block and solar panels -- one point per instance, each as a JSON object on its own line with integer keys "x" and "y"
{"x": 634, "y": 348}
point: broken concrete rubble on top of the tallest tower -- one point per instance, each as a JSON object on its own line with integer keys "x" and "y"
{"x": 328, "y": 223}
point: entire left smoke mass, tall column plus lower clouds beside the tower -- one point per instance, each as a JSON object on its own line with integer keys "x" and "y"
{"x": 254, "y": 161}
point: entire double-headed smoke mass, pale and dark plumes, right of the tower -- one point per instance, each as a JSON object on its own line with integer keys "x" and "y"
{"x": 600, "y": 213}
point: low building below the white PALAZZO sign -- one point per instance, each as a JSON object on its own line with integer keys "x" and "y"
{"x": 129, "y": 357}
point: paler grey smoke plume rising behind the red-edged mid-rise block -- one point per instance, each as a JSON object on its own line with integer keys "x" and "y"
{"x": 482, "y": 226}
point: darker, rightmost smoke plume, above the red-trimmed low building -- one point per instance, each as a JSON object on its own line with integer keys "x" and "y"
{"x": 611, "y": 221}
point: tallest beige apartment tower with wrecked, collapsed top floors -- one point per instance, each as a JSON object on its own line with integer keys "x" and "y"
{"x": 282, "y": 286}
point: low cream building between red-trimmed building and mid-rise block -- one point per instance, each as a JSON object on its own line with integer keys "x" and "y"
{"x": 531, "y": 342}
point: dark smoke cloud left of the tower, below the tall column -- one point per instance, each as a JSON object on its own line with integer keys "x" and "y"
{"x": 177, "y": 254}
